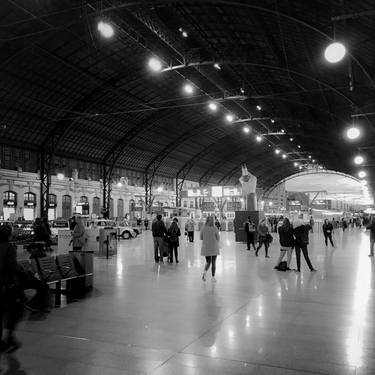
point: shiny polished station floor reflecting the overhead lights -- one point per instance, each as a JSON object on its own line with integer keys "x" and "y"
{"x": 143, "y": 318}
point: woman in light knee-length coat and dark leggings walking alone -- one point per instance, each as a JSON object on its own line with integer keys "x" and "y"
{"x": 210, "y": 246}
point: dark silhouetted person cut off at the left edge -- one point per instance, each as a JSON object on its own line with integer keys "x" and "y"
{"x": 11, "y": 295}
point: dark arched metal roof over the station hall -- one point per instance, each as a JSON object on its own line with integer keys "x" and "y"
{"x": 96, "y": 96}
